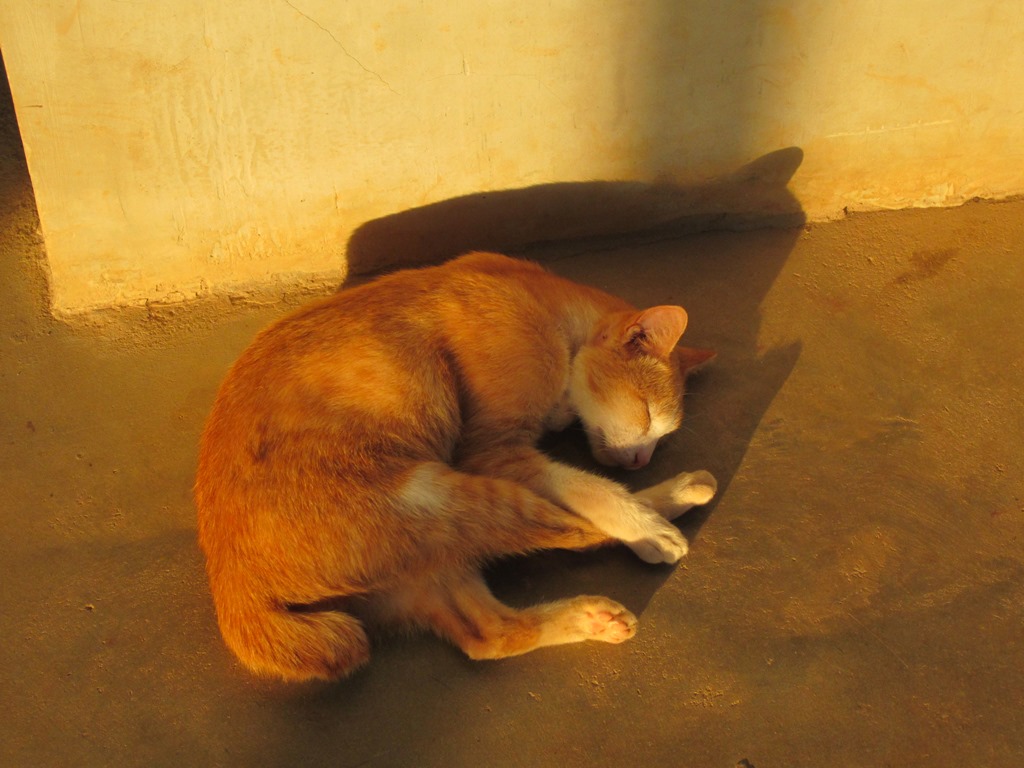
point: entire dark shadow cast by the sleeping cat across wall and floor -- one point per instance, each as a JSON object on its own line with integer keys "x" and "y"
{"x": 650, "y": 244}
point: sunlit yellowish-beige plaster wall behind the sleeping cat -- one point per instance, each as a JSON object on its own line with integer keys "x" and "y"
{"x": 196, "y": 146}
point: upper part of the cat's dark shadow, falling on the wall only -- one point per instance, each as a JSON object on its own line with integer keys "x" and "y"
{"x": 754, "y": 196}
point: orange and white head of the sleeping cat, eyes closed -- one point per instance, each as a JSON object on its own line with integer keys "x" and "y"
{"x": 627, "y": 383}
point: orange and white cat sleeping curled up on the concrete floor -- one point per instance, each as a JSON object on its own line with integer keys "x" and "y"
{"x": 368, "y": 454}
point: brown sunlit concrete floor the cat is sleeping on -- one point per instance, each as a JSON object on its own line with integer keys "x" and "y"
{"x": 855, "y": 598}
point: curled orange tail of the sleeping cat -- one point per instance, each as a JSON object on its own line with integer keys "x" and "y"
{"x": 296, "y": 647}
